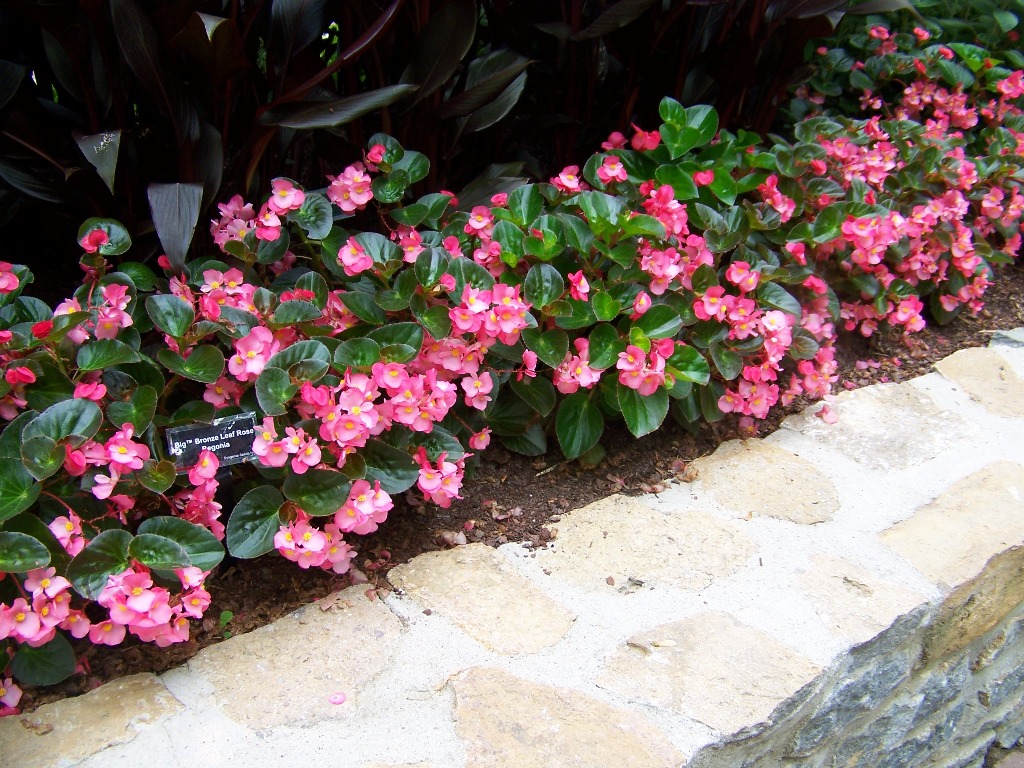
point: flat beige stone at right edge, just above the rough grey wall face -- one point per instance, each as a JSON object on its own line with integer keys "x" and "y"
{"x": 952, "y": 539}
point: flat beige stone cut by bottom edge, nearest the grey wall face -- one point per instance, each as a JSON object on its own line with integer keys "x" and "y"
{"x": 505, "y": 721}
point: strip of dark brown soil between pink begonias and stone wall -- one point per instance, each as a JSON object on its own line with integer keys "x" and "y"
{"x": 516, "y": 499}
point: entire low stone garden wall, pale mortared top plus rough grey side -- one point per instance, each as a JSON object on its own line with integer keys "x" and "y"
{"x": 845, "y": 595}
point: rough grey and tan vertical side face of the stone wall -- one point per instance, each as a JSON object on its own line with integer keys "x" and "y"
{"x": 949, "y": 674}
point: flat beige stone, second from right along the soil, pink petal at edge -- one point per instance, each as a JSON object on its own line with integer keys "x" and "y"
{"x": 884, "y": 426}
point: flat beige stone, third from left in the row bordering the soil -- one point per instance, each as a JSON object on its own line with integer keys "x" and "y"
{"x": 486, "y": 598}
